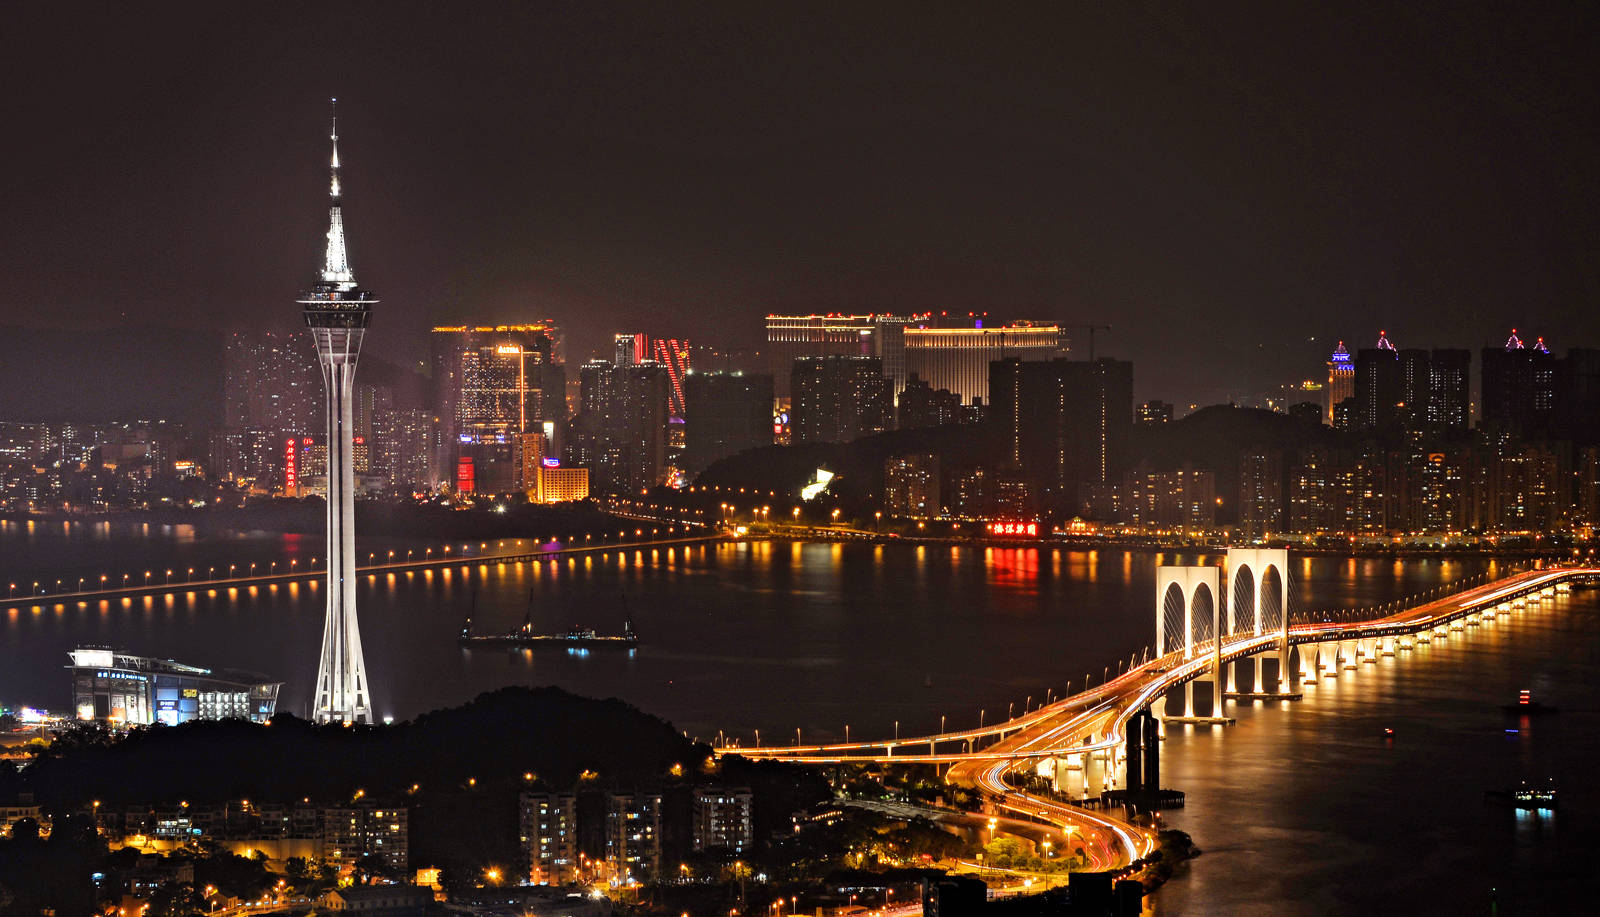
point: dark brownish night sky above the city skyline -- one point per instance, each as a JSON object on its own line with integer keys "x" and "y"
{"x": 1231, "y": 186}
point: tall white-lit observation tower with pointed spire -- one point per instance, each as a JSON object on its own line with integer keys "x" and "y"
{"x": 338, "y": 313}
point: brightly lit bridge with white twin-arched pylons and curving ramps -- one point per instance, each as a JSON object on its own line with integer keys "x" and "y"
{"x": 1108, "y": 739}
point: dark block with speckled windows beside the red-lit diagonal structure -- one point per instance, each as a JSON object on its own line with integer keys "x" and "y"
{"x": 620, "y": 433}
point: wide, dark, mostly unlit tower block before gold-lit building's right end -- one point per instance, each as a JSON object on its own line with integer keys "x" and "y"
{"x": 1063, "y": 423}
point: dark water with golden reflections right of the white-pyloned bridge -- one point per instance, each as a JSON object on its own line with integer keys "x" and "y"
{"x": 1308, "y": 809}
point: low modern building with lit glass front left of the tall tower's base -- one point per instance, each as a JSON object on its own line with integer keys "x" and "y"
{"x": 138, "y": 692}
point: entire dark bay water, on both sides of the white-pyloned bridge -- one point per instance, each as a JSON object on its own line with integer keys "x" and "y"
{"x": 1302, "y": 809}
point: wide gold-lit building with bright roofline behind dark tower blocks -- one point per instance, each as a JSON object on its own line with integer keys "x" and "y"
{"x": 958, "y": 358}
